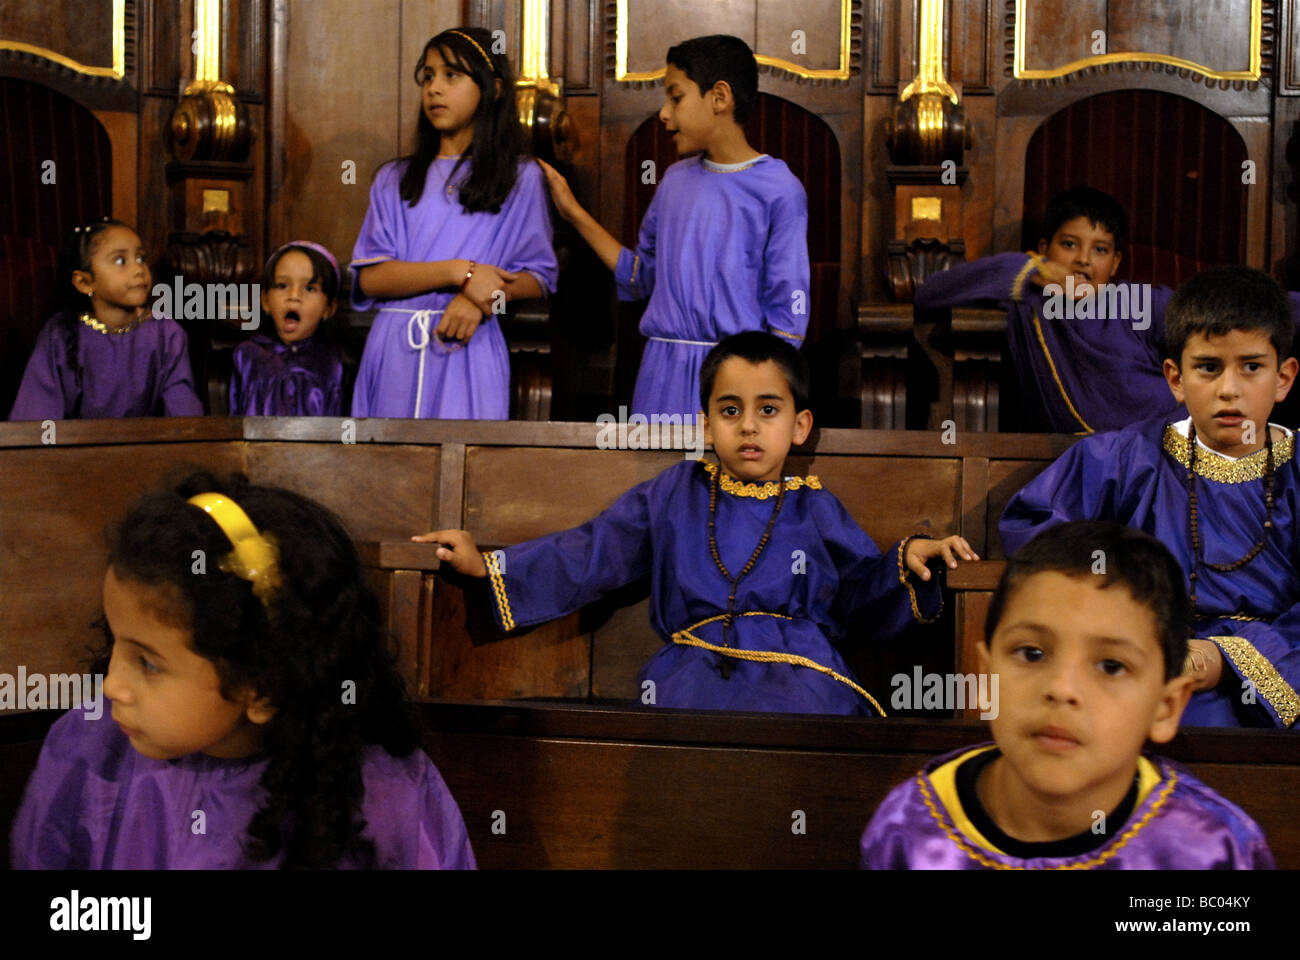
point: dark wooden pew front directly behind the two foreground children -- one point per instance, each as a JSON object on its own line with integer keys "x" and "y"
{"x": 614, "y": 788}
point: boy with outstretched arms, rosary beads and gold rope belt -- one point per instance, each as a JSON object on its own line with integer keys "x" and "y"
{"x": 753, "y": 577}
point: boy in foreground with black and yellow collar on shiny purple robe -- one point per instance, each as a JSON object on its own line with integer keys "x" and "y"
{"x": 1090, "y": 665}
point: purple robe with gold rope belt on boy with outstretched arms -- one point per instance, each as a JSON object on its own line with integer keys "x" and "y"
{"x": 792, "y": 604}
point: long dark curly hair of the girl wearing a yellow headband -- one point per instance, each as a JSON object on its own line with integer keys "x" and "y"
{"x": 322, "y": 630}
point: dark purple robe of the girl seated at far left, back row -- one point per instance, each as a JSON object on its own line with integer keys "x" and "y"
{"x": 145, "y": 373}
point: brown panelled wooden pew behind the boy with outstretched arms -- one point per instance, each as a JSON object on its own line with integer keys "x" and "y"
{"x": 505, "y": 482}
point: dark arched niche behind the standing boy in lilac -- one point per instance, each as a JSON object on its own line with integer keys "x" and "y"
{"x": 809, "y": 148}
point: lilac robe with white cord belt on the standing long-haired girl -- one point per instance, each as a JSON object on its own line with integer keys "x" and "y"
{"x": 406, "y": 370}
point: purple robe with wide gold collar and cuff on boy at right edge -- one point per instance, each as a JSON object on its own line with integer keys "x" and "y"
{"x": 1138, "y": 477}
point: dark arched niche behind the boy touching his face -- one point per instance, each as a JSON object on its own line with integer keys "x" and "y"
{"x": 1173, "y": 165}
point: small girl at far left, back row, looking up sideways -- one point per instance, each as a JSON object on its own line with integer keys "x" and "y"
{"x": 105, "y": 354}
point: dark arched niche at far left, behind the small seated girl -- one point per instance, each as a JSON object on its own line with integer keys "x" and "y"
{"x": 58, "y": 175}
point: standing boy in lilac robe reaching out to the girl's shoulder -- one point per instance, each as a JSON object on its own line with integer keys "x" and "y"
{"x": 723, "y": 247}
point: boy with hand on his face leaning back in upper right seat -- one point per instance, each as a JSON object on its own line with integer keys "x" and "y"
{"x": 1084, "y": 373}
